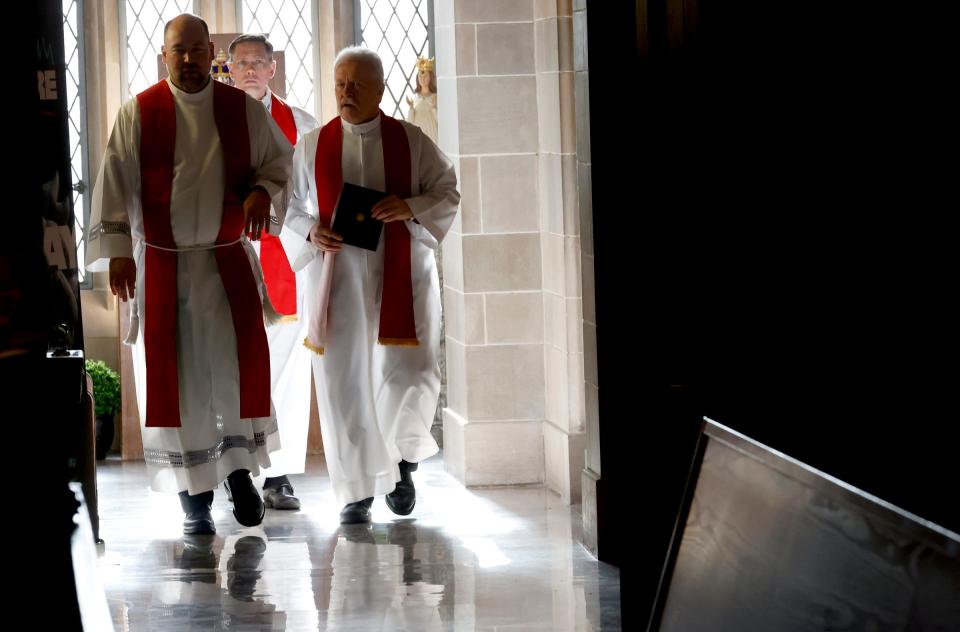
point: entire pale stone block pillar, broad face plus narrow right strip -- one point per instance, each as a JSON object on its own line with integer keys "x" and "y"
{"x": 512, "y": 264}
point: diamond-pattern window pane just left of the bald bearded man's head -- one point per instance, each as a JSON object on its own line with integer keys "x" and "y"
{"x": 144, "y": 21}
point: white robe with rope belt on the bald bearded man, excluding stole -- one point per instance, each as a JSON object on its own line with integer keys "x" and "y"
{"x": 213, "y": 440}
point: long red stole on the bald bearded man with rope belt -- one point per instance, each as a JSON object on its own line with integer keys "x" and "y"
{"x": 158, "y": 132}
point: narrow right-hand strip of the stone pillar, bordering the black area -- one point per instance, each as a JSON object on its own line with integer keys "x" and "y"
{"x": 563, "y": 430}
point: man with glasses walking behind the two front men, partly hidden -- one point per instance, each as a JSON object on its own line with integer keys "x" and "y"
{"x": 252, "y": 67}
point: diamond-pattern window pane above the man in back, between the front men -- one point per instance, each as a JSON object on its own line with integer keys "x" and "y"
{"x": 287, "y": 25}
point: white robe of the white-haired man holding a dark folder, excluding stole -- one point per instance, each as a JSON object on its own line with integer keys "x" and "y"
{"x": 376, "y": 402}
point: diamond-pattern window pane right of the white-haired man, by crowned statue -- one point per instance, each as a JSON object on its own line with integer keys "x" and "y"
{"x": 399, "y": 31}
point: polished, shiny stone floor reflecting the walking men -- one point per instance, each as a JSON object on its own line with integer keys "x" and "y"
{"x": 486, "y": 560}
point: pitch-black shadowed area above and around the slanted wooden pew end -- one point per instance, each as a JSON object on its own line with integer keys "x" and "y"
{"x": 768, "y": 253}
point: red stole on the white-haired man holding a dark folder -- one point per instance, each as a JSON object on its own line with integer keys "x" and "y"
{"x": 397, "y": 326}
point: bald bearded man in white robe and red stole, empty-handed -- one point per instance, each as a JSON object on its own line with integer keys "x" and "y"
{"x": 190, "y": 171}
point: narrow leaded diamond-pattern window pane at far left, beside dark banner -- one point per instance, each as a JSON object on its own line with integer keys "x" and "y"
{"x": 71, "y": 48}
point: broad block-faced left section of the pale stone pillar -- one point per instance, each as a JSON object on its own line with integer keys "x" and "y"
{"x": 493, "y": 278}
